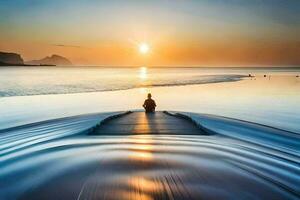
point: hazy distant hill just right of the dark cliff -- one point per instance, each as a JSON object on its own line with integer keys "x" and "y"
{"x": 51, "y": 60}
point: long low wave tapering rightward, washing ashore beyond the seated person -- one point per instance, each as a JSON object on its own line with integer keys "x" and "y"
{"x": 98, "y": 85}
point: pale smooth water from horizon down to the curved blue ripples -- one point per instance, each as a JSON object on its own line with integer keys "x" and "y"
{"x": 29, "y": 94}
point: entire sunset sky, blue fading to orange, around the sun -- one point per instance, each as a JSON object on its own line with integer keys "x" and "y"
{"x": 178, "y": 32}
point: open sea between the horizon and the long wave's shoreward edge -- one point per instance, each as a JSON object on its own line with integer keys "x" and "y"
{"x": 25, "y": 81}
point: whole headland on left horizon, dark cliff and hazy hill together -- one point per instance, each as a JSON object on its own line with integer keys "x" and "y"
{"x": 14, "y": 59}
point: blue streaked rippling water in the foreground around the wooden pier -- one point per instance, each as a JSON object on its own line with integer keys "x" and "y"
{"x": 58, "y": 160}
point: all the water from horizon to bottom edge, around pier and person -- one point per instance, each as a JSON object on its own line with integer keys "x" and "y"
{"x": 241, "y": 160}
